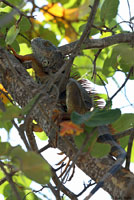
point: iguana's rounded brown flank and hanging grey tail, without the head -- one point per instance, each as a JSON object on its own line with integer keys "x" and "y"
{"x": 77, "y": 99}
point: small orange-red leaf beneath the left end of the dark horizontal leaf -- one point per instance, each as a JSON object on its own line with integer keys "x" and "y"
{"x": 69, "y": 128}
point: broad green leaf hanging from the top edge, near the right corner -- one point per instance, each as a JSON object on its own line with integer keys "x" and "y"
{"x": 109, "y": 10}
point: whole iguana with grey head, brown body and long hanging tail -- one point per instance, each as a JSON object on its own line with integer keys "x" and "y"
{"x": 47, "y": 59}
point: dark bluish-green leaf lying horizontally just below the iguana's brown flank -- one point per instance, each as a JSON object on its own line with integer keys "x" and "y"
{"x": 96, "y": 117}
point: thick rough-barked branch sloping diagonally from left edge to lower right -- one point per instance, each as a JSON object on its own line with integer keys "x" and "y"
{"x": 22, "y": 88}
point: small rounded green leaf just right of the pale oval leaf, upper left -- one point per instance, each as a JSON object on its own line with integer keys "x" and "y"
{"x": 24, "y": 24}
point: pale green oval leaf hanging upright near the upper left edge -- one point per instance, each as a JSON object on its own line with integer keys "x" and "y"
{"x": 12, "y": 34}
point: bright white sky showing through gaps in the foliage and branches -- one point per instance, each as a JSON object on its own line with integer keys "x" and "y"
{"x": 119, "y": 102}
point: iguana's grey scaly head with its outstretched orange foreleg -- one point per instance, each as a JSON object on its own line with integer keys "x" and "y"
{"x": 46, "y": 57}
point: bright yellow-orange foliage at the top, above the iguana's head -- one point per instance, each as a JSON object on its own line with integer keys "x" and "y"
{"x": 56, "y": 13}
